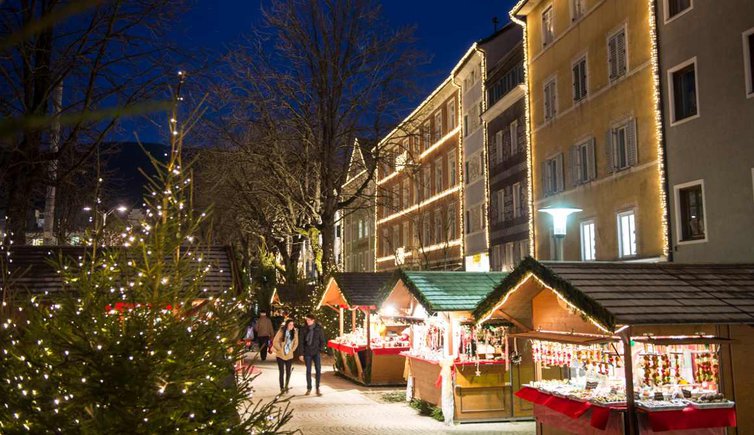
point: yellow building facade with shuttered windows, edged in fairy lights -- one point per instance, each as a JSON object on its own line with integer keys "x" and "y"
{"x": 595, "y": 141}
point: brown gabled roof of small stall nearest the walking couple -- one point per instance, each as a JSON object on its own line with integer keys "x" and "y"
{"x": 358, "y": 289}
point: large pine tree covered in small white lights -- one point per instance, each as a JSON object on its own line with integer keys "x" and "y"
{"x": 136, "y": 344}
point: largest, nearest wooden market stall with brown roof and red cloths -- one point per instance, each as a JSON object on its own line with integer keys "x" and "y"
{"x": 633, "y": 347}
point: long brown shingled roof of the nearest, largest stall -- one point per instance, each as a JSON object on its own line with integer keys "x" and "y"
{"x": 642, "y": 293}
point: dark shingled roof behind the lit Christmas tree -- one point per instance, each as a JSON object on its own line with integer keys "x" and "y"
{"x": 34, "y": 269}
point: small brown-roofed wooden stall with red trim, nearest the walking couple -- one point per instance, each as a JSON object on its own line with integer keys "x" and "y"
{"x": 370, "y": 353}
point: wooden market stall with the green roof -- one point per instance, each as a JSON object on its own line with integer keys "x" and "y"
{"x": 452, "y": 364}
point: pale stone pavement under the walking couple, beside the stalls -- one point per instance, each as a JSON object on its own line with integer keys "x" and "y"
{"x": 348, "y": 408}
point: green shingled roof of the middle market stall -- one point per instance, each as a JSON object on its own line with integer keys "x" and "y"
{"x": 449, "y": 291}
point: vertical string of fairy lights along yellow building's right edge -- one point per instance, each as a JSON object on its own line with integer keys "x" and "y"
{"x": 658, "y": 128}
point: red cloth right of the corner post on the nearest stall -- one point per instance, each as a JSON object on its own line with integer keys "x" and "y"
{"x": 691, "y": 418}
